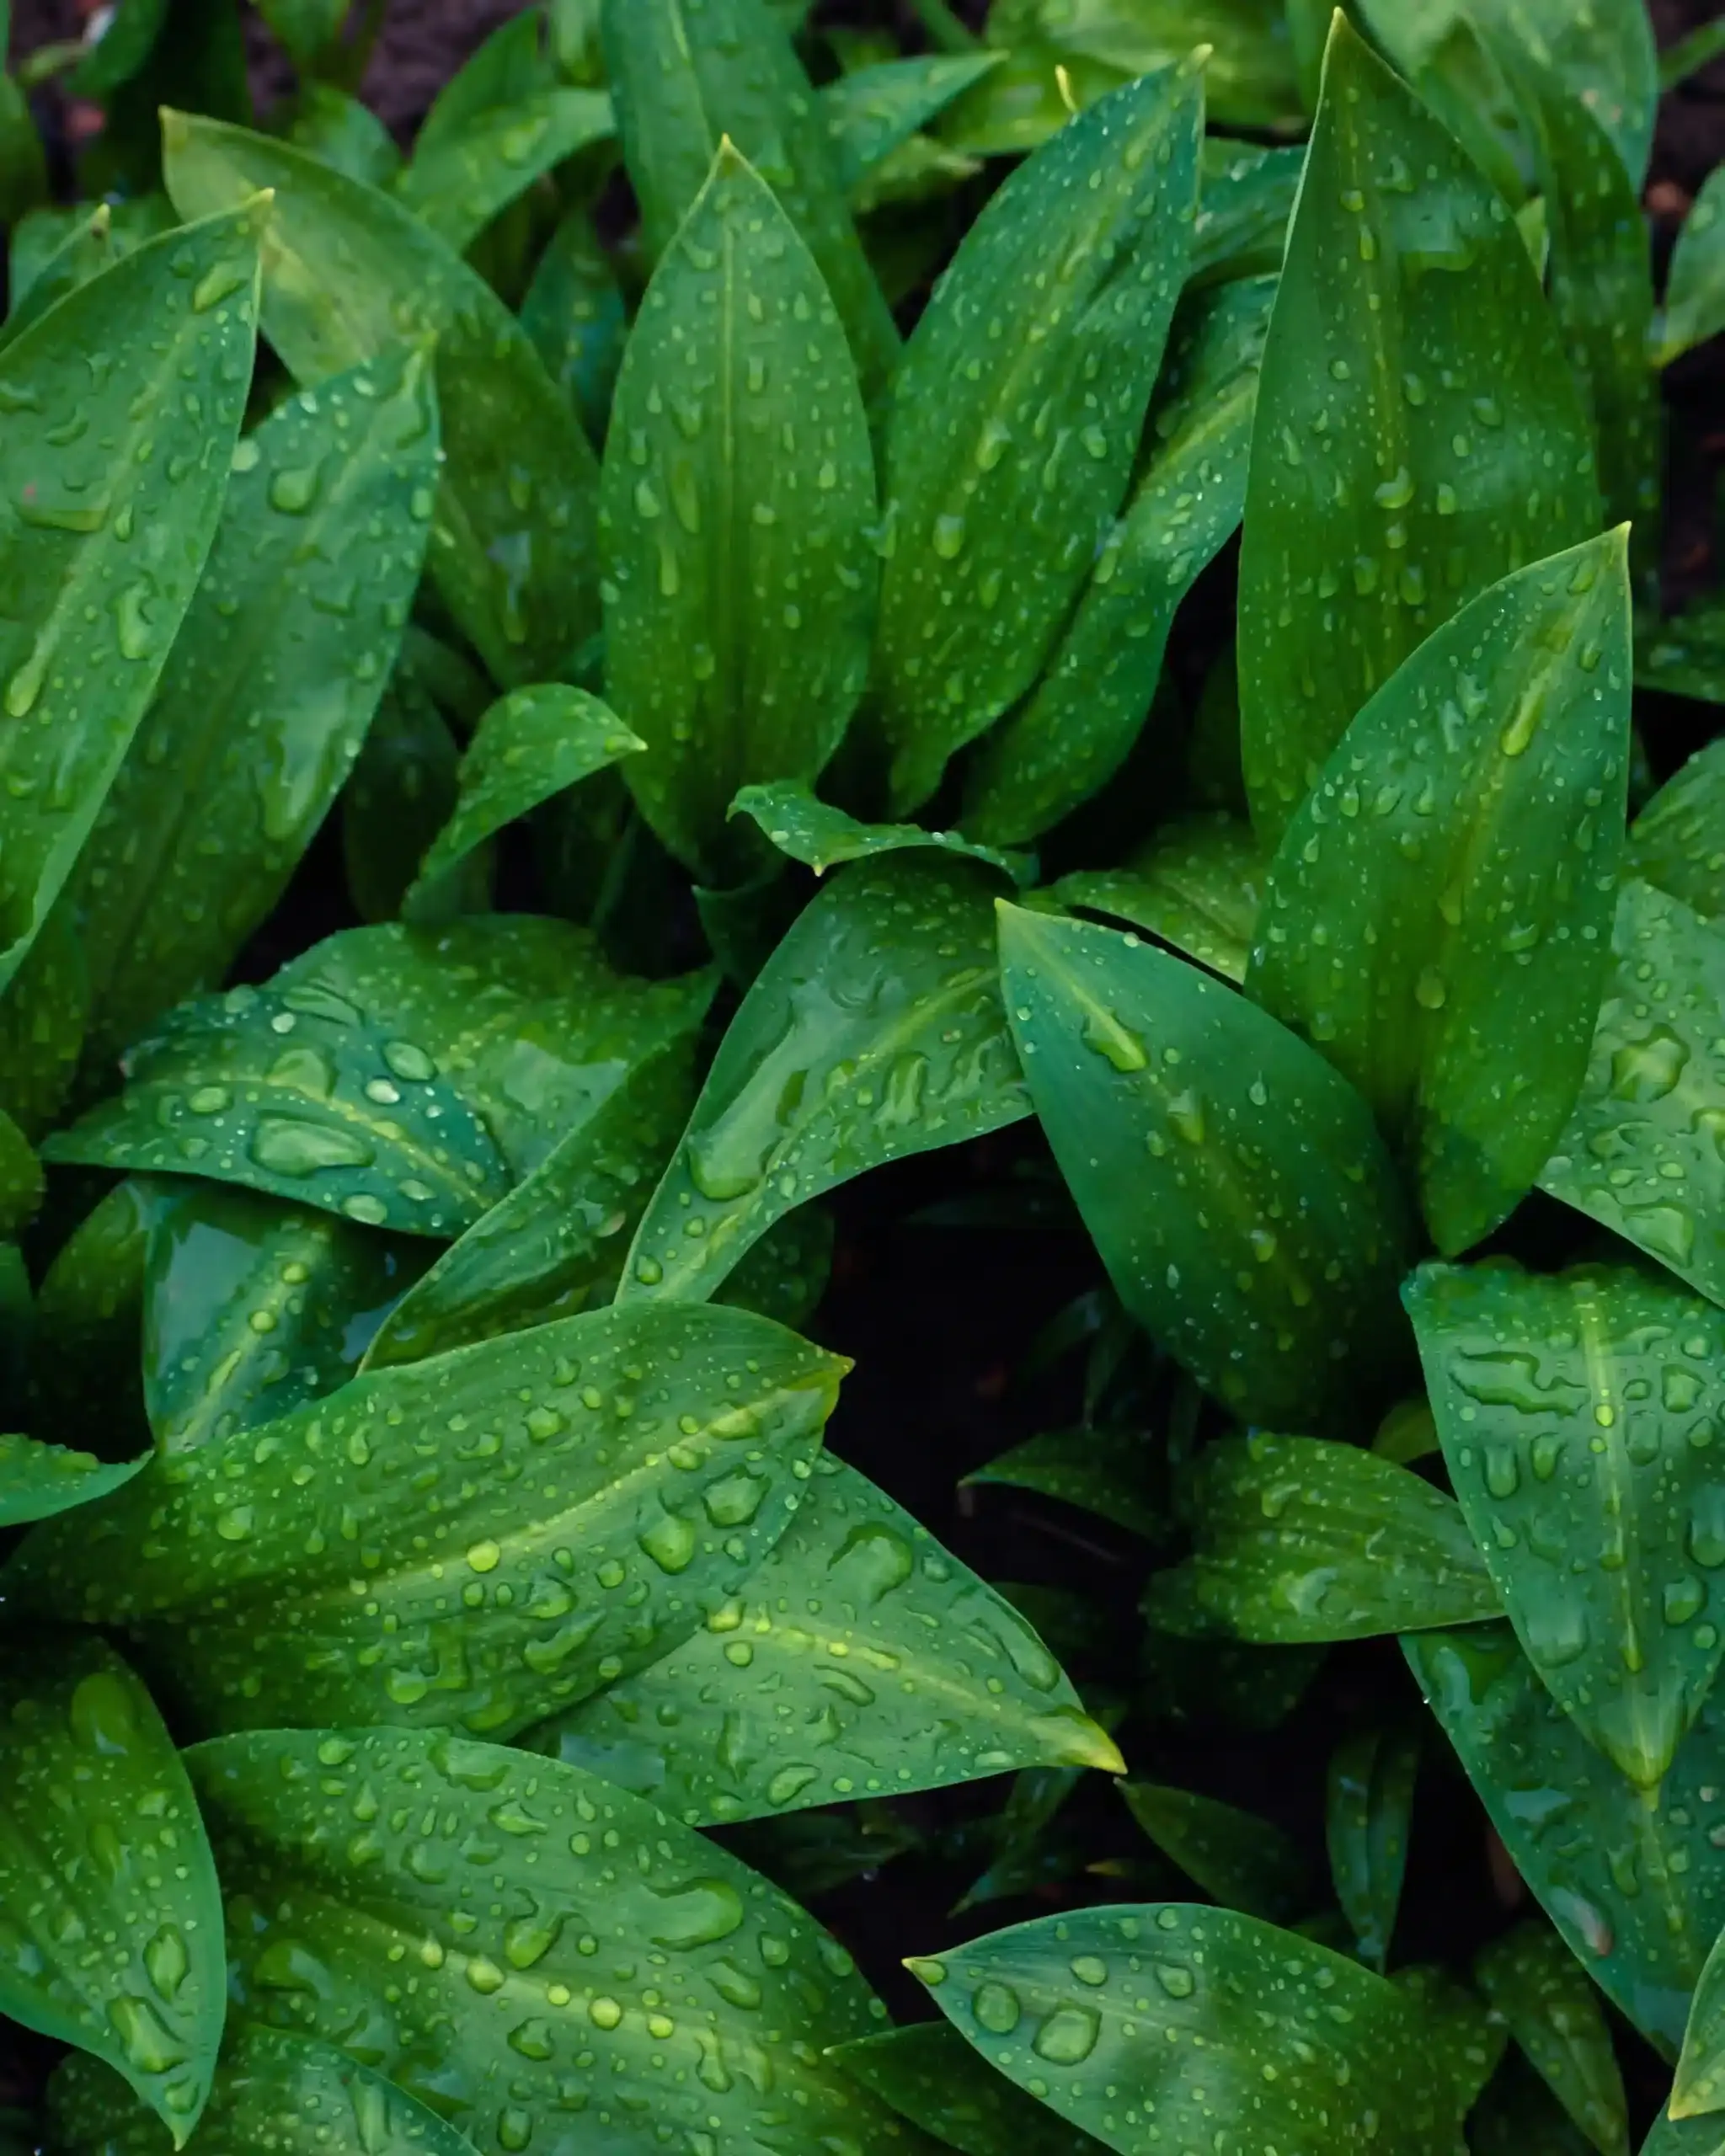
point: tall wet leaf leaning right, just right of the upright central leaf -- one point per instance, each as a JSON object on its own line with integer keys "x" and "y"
{"x": 1010, "y": 450}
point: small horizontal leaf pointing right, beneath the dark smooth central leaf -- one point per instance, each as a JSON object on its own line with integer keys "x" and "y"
{"x": 1301, "y": 1540}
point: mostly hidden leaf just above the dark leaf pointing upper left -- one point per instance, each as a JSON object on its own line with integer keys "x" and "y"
{"x": 1198, "y": 885}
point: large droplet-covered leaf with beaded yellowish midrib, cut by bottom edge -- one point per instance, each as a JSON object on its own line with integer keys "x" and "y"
{"x": 609, "y": 1978}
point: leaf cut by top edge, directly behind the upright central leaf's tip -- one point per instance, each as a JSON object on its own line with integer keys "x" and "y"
{"x": 685, "y": 81}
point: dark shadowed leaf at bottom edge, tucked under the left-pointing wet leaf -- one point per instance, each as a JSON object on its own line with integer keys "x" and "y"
{"x": 937, "y": 2082}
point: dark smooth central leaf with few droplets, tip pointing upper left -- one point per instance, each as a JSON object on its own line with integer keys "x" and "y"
{"x": 1232, "y": 1183}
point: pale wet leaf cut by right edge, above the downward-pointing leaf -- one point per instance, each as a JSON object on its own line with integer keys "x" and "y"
{"x": 1642, "y": 1150}
